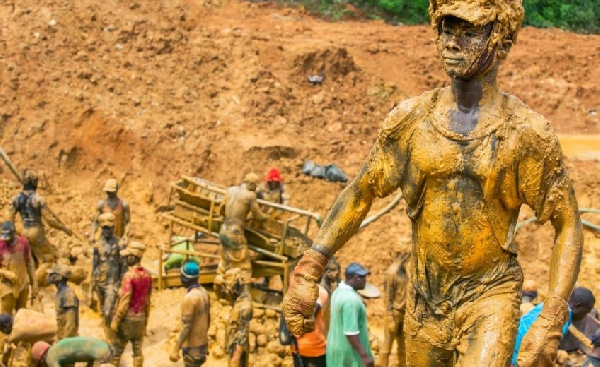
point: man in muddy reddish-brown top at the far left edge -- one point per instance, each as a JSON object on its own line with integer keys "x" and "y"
{"x": 17, "y": 271}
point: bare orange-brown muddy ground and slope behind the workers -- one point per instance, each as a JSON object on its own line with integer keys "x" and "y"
{"x": 148, "y": 91}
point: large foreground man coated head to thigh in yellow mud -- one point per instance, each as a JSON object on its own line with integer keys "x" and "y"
{"x": 466, "y": 158}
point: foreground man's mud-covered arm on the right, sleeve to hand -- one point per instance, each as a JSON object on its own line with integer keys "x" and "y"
{"x": 545, "y": 187}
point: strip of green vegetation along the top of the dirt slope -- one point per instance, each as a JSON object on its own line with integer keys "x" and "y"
{"x": 575, "y": 15}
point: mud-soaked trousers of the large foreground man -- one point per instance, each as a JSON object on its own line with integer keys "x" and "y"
{"x": 477, "y": 330}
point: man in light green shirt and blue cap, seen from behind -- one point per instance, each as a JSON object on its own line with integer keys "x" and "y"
{"x": 348, "y": 338}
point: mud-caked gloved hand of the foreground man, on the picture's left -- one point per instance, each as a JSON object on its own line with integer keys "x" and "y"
{"x": 301, "y": 297}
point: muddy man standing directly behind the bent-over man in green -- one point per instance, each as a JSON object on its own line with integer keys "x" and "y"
{"x": 66, "y": 303}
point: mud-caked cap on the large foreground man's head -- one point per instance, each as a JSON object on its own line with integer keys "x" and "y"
{"x": 507, "y": 16}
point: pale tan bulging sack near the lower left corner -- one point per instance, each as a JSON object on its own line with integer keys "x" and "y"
{"x": 31, "y": 326}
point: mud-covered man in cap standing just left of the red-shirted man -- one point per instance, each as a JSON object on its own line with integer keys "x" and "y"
{"x": 107, "y": 268}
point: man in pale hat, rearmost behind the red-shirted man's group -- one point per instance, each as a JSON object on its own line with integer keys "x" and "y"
{"x": 115, "y": 205}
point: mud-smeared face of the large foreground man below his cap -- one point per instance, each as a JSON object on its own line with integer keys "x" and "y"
{"x": 463, "y": 47}
